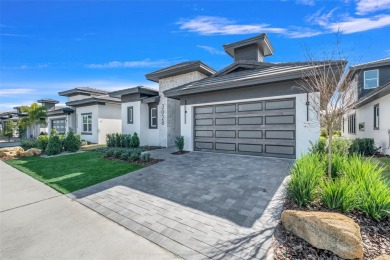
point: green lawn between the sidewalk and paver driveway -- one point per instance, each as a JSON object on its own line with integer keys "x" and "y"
{"x": 69, "y": 173}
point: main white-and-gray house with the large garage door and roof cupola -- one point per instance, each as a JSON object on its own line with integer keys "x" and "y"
{"x": 250, "y": 107}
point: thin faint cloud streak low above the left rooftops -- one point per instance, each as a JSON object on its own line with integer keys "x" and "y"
{"x": 147, "y": 63}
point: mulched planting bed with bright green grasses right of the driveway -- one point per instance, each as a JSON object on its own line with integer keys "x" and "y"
{"x": 356, "y": 186}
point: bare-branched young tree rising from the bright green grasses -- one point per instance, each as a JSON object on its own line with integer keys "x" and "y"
{"x": 337, "y": 90}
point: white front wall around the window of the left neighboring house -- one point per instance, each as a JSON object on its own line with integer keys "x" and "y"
{"x": 93, "y": 137}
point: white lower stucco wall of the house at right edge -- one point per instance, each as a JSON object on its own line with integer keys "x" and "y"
{"x": 365, "y": 114}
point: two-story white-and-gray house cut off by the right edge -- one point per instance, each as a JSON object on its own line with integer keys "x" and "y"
{"x": 370, "y": 116}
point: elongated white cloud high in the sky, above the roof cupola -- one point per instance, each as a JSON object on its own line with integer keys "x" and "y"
{"x": 211, "y": 25}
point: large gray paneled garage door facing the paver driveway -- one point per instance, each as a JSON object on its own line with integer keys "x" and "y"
{"x": 264, "y": 128}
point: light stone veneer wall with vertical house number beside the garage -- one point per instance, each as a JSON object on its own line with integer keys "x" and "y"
{"x": 169, "y": 109}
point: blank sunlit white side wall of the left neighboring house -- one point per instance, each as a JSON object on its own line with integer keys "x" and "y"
{"x": 109, "y": 121}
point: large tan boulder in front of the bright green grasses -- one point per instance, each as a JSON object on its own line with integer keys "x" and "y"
{"x": 326, "y": 230}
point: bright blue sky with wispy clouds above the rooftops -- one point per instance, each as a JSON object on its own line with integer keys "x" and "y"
{"x": 51, "y": 46}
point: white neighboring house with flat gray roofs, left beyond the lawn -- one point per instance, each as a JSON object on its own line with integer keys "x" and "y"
{"x": 90, "y": 112}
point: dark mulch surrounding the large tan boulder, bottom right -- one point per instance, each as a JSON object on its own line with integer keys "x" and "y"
{"x": 375, "y": 235}
